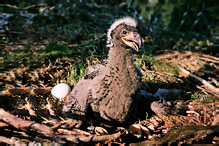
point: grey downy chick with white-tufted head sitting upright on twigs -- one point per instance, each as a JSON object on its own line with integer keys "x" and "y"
{"x": 108, "y": 91}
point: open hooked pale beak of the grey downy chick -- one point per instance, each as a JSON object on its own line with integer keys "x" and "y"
{"x": 133, "y": 40}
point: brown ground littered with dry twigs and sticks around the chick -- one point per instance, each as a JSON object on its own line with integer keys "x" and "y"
{"x": 29, "y": 113}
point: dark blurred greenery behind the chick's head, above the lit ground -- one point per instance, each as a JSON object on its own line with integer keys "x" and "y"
{"x": 168, "y": 22}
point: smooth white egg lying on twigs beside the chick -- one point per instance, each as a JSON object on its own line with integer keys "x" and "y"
{"x": 61, "y": 91}
